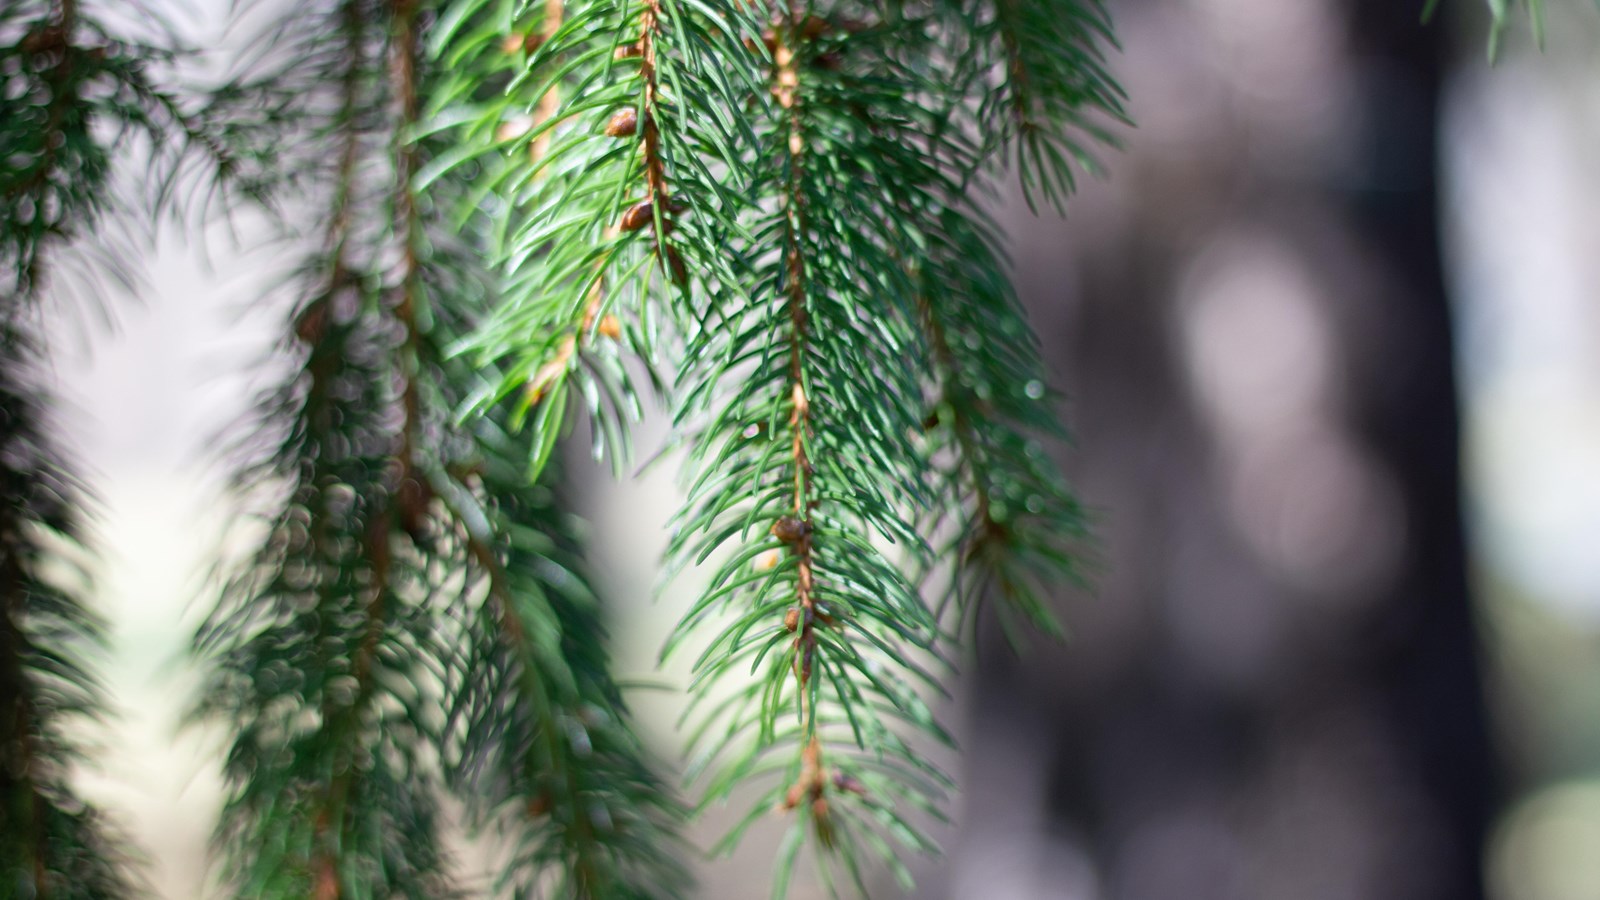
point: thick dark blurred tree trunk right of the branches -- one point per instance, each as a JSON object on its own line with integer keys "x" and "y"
{"x": 1274, "y": 691}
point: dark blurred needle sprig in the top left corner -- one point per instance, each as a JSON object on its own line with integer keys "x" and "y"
{"x": 73, "y": 94}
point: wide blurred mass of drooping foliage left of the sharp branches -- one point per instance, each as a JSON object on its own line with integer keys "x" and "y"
{"x": 417, "y": 617}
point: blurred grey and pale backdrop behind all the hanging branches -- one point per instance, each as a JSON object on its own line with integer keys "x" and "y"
{"x": 1332, "y": 345}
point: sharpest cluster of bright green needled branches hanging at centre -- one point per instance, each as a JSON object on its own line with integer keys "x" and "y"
{"x": 838, "y": 283}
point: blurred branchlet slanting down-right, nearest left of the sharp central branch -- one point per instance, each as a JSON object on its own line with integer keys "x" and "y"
{"x": 537, "y": 728}
